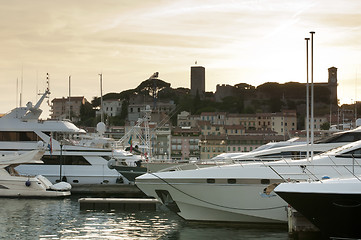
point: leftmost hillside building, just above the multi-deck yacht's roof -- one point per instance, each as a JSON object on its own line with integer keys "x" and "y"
{"x": 65, "y": 108}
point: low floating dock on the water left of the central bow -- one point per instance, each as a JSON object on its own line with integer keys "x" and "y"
{"x": 123, "y": 204}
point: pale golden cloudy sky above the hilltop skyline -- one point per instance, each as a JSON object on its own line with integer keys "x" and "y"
{"x": 237, "y": 41}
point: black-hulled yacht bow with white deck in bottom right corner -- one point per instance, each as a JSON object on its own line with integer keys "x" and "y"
{"x": 333, "y": 205}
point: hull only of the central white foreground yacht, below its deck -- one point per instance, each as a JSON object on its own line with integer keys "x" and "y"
{"x": 219, "y": 203}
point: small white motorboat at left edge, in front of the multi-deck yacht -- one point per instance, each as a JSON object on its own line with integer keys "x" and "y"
{"x": 14, "y": 185}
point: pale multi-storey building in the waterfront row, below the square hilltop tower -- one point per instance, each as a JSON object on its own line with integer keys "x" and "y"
{"x": 185, "y": 143}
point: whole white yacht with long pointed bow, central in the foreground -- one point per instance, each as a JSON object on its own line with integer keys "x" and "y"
{"x": 237, "y": 192}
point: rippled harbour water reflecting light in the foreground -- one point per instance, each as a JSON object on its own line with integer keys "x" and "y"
{"x": 62, "y": 219}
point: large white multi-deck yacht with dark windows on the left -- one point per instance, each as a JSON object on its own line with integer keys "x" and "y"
{"x": 75, "y": 162}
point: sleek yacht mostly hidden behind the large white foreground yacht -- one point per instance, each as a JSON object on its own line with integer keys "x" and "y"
{"x": 272, "y": 151}
